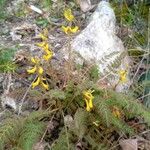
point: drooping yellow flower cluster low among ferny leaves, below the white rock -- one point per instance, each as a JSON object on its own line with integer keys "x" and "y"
{"x": 88, "y": 97}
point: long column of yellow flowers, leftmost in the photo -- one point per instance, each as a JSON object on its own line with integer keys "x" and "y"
{"x": 38, "y": 69}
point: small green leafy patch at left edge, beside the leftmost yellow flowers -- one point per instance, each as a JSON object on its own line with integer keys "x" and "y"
{"x": 6, "y": 59}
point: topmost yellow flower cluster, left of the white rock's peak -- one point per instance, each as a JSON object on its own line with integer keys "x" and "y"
{"x": 70, "y": 18}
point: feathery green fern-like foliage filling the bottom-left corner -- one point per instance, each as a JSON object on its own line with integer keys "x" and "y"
{"x": 22, "y": 133}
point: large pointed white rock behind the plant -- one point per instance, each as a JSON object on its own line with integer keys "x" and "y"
{"x": 98, "y": 42}
